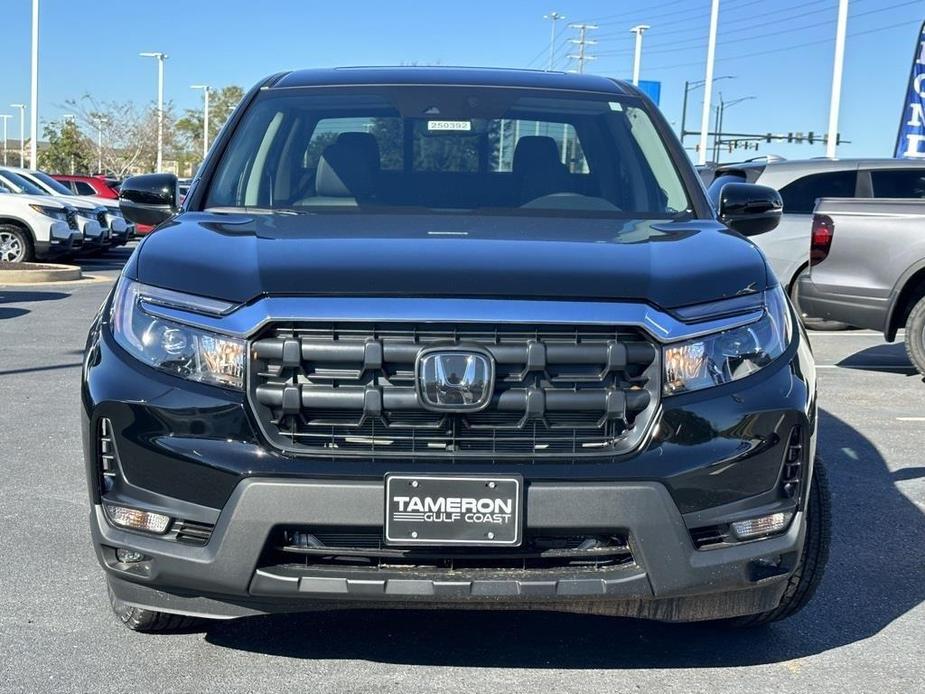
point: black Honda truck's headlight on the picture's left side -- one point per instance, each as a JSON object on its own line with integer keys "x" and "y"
{"x": 173, "y": 347}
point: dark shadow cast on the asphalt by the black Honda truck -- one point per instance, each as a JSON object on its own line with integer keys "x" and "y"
{"x": 876, "y": 573}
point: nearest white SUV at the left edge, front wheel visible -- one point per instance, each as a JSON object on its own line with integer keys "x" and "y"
{"x": 35, "y": 227}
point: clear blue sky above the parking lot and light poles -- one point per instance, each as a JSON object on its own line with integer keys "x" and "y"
{"x": 780, "y": 51}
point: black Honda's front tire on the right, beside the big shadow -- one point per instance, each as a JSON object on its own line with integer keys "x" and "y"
{"x": 805, "y": 579}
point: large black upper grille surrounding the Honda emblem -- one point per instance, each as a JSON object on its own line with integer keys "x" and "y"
{"x": 560, "y": 392}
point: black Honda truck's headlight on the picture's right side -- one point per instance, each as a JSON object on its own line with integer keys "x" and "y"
{"x": 732, "y": 354}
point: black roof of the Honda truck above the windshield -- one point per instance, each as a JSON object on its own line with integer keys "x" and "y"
{"x": 449, "y": 76}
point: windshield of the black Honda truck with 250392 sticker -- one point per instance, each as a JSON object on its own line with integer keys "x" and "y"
{"x": 448, "y": 149}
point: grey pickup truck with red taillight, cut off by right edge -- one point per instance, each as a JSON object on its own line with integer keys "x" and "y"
{"x": 867, "y": 267}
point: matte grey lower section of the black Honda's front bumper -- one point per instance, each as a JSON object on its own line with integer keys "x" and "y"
{"x": 669, "y": 579}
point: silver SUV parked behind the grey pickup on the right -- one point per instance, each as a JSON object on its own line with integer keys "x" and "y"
{"x": 801, "y": 183}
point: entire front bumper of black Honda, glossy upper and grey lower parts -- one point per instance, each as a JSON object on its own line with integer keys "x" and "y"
{"x": 194, "y": 453}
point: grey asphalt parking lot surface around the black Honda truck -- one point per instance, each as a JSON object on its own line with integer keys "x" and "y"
{"x": 863, "y": 631}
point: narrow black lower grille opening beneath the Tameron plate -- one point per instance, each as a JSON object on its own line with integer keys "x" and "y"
{"x": 364, "y": 547}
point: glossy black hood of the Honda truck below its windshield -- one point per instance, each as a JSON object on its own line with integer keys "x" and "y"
{"x": 237, "y": 257}
